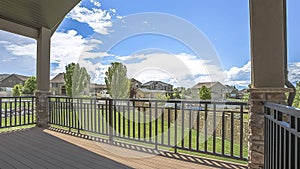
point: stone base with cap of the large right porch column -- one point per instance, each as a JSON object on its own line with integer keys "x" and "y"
{"x": 256, "y": 122}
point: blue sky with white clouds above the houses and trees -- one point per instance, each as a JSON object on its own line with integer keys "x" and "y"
{"x": 180, "y": 42}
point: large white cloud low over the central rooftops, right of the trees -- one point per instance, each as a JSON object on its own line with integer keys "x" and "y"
{"x": 179, "y": 69}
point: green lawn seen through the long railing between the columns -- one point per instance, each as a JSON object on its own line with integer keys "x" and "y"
{"x": 92, "y": 123}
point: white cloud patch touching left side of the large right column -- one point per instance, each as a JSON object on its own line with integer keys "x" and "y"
{"x": 239, "y": 76}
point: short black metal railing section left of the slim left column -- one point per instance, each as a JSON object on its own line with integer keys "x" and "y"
{"x": 17, "y": 111}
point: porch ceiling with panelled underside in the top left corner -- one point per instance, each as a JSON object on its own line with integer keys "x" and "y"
{"x": 26, "y": 17}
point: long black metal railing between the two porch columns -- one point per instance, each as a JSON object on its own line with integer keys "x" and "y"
{"x": 216, "y": 128}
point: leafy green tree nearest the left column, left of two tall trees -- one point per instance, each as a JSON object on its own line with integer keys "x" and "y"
{"x": 76, "y": 79}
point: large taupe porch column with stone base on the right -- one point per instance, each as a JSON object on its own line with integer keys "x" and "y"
{"x": 268, "y": 51}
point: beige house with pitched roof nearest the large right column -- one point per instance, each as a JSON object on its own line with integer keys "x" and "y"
{"x": 218, "y": 90}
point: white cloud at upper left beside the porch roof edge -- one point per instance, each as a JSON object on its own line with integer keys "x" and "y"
{"x": 99, "y": 20}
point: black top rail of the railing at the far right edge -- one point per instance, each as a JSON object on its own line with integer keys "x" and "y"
{"x": 283, "y": 108}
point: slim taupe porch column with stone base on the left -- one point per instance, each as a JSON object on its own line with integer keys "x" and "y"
{"x": 43, "y": 76}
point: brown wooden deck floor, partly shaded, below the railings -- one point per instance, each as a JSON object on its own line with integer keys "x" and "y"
{"x": 43, "y": 148}
